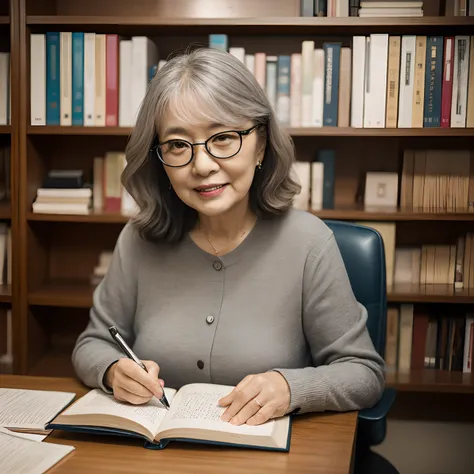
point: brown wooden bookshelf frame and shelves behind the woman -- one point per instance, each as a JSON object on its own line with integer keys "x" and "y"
{"x": 54, "y": 255}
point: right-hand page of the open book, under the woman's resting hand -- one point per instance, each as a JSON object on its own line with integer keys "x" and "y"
{"x": 196, "y": 406}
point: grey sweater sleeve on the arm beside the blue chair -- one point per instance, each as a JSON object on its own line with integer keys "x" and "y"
{"x": 347, "y": 372}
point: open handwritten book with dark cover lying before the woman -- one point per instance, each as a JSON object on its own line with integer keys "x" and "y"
{"x": 194, "y": 415}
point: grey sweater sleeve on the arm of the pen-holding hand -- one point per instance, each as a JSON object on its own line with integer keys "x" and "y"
{"x": 114, "y": 303}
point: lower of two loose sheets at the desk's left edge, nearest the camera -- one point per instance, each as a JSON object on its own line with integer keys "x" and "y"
{"x": 23, "y": 456}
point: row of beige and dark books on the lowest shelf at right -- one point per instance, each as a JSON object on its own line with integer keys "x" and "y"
{"x": 418, "y": 340}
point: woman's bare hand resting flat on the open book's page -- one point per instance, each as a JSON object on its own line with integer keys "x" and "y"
{"x": 256, "y": 399}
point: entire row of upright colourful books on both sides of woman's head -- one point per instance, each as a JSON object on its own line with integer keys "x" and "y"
{"x": 374, "y": 81}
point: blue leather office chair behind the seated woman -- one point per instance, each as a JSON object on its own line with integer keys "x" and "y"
{"x": 363, "y": 253}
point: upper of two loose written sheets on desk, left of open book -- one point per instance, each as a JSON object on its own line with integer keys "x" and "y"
{"x": 31, "y": 409}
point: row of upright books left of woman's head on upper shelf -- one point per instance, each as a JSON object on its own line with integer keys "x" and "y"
{"x": 89, "y": 79}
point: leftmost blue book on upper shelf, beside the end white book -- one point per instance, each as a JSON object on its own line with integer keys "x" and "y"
{"x": 53, "y": 109}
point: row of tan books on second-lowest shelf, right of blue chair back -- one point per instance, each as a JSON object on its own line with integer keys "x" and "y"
{"x": 439, "y": 264}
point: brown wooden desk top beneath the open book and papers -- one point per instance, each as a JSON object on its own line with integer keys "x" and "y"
{"x": 320, "y": 443}
